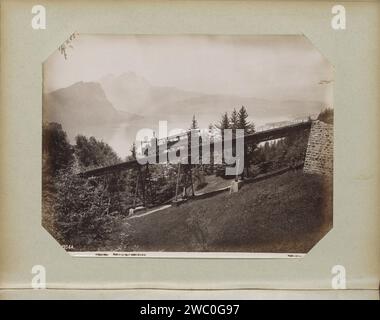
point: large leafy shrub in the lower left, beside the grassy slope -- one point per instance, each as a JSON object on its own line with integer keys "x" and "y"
{"x": 81, "y": 212}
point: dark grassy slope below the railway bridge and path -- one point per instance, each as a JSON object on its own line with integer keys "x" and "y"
{"x": 287, "y": 213}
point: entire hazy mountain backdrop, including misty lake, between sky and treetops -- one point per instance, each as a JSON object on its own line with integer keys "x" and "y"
{"x": 115, "y": 108}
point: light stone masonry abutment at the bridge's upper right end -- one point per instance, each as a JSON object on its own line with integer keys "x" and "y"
{"x": 320, "y": 149}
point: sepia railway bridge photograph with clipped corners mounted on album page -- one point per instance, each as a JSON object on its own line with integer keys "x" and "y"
{"x": 187, "y": 145}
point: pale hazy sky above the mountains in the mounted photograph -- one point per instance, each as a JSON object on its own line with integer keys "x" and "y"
{"x": 268, "y": 67}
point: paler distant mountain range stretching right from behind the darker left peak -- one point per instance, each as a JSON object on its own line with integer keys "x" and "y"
{"x": 132, "y": 93}
